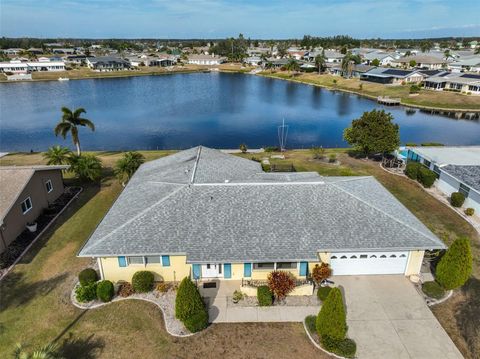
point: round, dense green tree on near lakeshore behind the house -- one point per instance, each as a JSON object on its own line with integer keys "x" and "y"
{"x": 373, "y": 132}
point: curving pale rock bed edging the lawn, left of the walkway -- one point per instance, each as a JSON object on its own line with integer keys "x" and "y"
{"x": 164, "y": 301}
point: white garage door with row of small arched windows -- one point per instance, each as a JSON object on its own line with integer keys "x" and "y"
{"x": 368, "y": 263}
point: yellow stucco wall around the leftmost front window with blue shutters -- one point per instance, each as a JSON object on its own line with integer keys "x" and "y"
{"x": 177, "y": 270}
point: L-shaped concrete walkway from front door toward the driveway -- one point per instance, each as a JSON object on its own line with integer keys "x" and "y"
{"x": 220, "y": 311}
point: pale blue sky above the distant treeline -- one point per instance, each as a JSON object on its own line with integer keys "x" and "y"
{"x": 223, "y": 18}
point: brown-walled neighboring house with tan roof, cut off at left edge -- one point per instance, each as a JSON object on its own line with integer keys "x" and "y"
{"x": 25, "y": 192}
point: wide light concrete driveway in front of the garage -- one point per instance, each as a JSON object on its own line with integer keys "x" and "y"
{"x": 389, "y": 319}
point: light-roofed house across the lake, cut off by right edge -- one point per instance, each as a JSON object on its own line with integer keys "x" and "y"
{"x": 457, "y": 82}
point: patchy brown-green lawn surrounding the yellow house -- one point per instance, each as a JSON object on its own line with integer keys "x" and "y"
{"x": 35, "y": 305}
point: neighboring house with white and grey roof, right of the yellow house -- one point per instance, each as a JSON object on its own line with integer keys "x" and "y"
{"x": 458, "y": 170}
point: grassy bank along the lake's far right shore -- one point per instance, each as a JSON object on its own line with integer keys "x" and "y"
{"x": 426, "y": 99}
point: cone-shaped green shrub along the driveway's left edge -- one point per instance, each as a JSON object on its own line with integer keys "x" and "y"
{"x": 331, "y": 320}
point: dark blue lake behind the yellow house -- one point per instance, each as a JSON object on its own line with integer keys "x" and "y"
{"x": 214, "y": 109}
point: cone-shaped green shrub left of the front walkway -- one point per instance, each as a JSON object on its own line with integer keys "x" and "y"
{"x": 189, "y": 306}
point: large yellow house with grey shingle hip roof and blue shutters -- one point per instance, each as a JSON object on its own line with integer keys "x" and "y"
{"x": 208, "y": 214}
